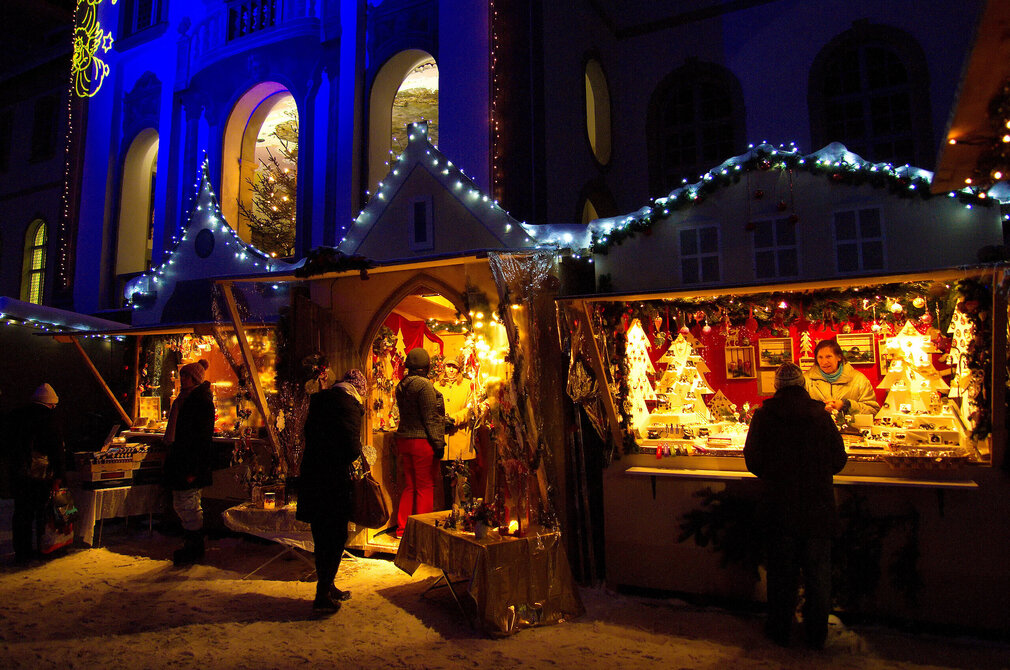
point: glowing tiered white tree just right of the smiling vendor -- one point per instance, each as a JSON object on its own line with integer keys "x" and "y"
{"x": 913, "y": 381}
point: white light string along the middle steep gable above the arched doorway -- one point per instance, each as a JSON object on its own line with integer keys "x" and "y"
{"x": 458, "y": 183}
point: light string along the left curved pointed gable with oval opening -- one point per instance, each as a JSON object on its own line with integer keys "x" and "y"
{"x": 207, "y": 209}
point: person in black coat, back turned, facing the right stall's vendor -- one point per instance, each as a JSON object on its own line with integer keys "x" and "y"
{"x": 795, "y": 449}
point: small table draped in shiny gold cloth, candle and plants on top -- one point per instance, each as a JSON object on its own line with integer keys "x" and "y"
{"x": 516, "y": 583}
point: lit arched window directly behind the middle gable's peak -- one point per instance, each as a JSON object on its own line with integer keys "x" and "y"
{"x": 406, "y": 90}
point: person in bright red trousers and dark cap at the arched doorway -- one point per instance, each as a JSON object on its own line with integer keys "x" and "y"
{"x": 421, "y": 438}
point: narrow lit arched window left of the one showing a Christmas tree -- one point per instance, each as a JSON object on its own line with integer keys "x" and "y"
{"x": 137, "y": 205}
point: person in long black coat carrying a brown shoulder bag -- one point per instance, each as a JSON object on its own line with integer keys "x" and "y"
{"x": 326, "y": 491}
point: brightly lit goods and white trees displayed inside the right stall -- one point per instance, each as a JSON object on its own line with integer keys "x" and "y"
{"x": 691, "y": 391}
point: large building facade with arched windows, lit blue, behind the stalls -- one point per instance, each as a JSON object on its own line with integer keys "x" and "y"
{"x": 564, "y": 113}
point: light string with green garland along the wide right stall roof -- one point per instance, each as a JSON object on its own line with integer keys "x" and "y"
{"x": 835, "y": 162}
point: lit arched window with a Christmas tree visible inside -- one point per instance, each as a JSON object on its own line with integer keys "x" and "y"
{"x": 260, "y": 180}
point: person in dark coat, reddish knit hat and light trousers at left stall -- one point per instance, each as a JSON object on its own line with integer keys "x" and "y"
{"x": 189, "y": 464}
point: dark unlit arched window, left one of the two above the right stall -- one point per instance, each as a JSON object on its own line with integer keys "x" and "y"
{"x": 696, "y": 121}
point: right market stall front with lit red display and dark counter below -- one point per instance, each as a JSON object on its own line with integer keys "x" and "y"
{"x": 920, "y": 498}
